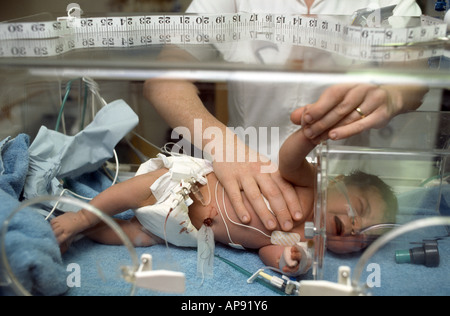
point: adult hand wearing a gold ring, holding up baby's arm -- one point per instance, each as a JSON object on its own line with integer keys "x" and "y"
{"x": 348, "y": 109}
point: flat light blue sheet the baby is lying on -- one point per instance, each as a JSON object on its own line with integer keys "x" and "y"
{"x": 393, "y": 279}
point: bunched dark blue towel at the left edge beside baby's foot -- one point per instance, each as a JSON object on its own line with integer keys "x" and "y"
{"x": 31, "y": 248}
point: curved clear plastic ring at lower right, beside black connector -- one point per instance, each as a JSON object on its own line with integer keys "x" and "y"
{"x": 382, "y": 241}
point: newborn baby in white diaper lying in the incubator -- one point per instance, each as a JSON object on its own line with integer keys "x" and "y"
{"x": 354, "y": 202}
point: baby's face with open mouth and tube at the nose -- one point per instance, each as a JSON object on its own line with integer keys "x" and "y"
{"x": 344, "y": 222}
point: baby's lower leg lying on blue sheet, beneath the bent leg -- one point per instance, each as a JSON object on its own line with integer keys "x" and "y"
{"x": 137, "y": 234}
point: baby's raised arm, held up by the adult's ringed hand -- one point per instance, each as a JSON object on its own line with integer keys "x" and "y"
{"x": 292, "y": 160}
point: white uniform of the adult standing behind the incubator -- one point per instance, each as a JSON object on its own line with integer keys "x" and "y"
{"x": 269, "y": 105}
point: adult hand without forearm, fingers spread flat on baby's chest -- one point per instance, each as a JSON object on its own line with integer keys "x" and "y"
{"x": 257, "y": 178}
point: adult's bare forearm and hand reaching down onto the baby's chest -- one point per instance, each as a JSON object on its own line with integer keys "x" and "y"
{"x": 252, "y": 176}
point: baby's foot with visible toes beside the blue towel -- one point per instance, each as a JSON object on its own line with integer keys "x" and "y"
{"x": 66, "y": 227}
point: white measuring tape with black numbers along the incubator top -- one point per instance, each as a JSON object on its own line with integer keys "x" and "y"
{"x": 333, "y": 34}
